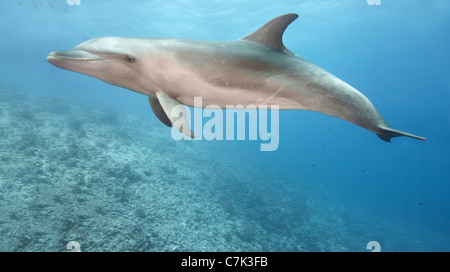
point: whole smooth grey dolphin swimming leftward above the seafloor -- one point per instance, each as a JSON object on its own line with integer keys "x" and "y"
{"x": 254, "y": 70}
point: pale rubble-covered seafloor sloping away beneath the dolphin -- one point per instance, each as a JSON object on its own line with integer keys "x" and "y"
{"x": 115, "y": 182}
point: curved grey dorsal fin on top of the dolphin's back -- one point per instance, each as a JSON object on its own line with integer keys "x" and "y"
{"x": 271, "y": 34}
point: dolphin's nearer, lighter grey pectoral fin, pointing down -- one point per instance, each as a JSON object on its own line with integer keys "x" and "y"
{"x": 173, "y": 110}
